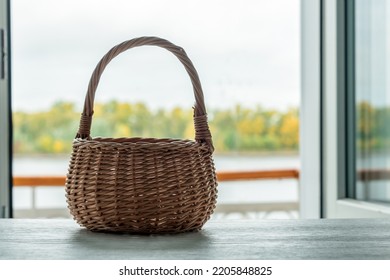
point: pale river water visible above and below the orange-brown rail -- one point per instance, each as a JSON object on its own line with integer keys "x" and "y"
{"x": 228, "y": 192}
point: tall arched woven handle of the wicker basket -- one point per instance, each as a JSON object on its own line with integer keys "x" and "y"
{"x": 202, "y": 132}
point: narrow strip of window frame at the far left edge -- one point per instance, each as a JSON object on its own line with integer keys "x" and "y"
{"x": 5, "y": 114}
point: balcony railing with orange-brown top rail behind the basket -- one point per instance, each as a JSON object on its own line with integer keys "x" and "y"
{"x": 222, "y": 210}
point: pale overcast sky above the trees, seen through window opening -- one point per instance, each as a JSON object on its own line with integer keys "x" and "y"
{"x": 245, "y": 51}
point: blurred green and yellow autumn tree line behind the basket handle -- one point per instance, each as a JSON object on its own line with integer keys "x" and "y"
{"x": 235, "y": 129}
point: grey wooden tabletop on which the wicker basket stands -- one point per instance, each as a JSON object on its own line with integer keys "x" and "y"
{"x": 220, "y": 239}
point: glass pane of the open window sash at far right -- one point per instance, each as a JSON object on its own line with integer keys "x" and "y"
{"x": 372, "y": 100}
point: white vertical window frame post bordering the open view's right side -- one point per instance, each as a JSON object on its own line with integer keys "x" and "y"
{"x": 310, "y": 110}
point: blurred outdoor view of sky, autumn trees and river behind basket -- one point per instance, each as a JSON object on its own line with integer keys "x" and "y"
{"x": 241, "y": 50}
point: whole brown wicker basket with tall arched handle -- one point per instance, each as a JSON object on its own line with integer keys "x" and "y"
{"x": 142, "y": 185}
